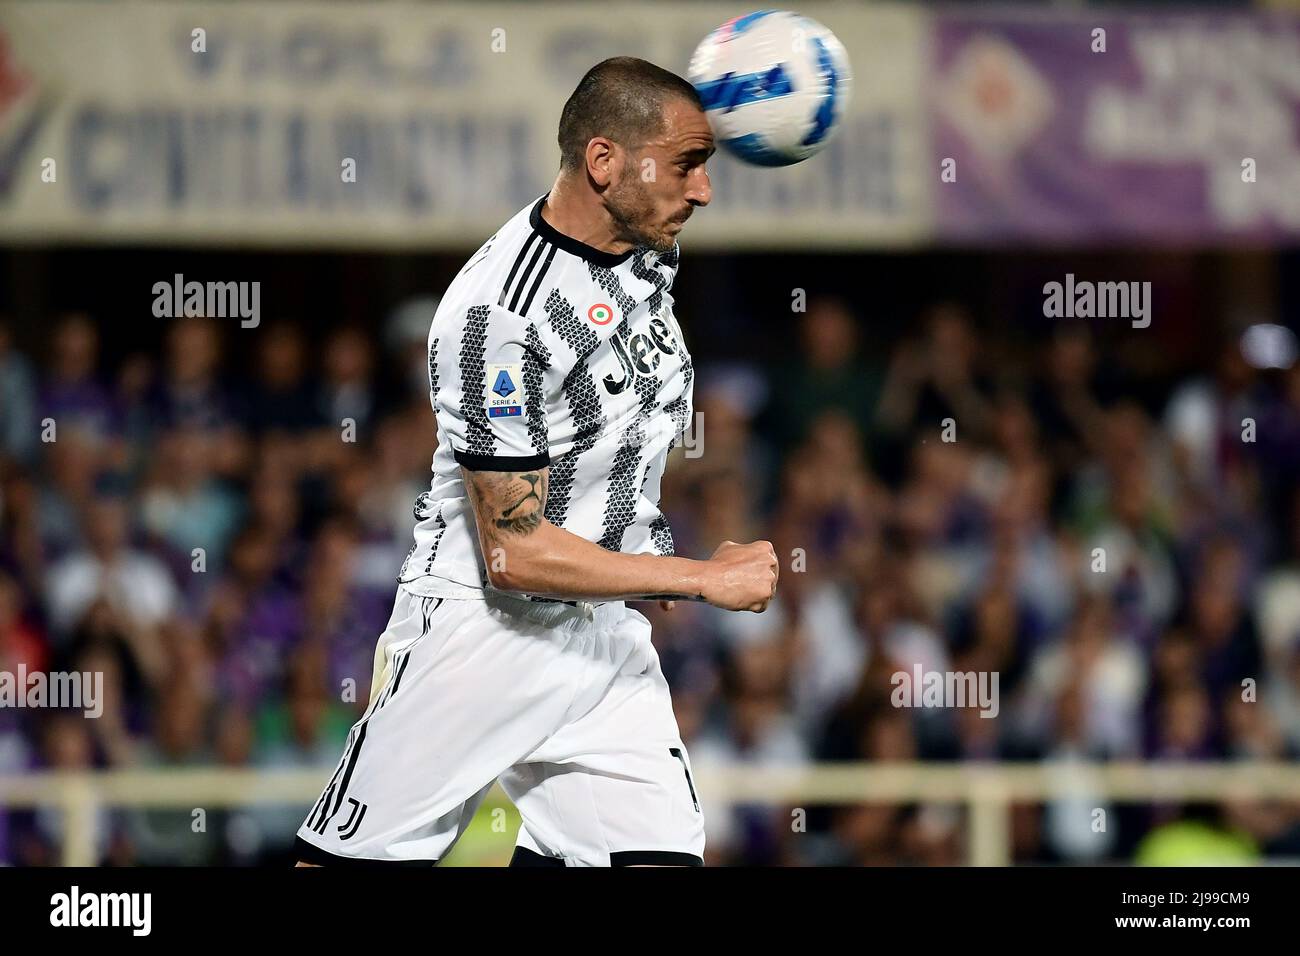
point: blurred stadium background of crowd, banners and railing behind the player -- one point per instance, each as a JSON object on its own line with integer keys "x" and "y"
{"x": 839, "y": 314}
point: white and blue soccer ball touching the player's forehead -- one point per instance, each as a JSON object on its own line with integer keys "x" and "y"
{"x": 774, "y": 84}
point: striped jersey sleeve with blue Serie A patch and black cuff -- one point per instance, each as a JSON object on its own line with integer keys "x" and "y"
{"x": 491, "y": 390}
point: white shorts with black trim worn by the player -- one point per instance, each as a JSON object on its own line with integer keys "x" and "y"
{"x": 565, "y": 706}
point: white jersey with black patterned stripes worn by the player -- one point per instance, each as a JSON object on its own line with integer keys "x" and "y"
{"x": 549, "y": 352}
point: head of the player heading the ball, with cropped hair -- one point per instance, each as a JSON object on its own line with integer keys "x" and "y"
{"x": 638, "y": 135}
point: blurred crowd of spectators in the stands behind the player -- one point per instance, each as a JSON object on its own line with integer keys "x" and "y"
{"x": 222, "y": 538}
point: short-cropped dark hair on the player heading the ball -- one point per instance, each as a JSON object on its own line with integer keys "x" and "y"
{"x": 622, "y": 100}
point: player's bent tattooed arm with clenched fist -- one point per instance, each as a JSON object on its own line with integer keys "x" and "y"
{"x": 527, "y": 553}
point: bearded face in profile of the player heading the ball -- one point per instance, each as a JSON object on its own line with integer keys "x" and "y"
{"x": 655, "y": 193}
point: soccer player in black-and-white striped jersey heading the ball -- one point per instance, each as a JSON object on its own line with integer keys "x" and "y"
{"x": 561, "y": 383}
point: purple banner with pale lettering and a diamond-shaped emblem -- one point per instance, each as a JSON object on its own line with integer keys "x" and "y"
{"x": 1081, "y": 128}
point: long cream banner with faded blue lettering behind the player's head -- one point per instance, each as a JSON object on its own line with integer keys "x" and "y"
{"x": 419, "y": 126}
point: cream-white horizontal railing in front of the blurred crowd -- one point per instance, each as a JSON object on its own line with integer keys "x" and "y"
{"x": 987, "y": 791}
